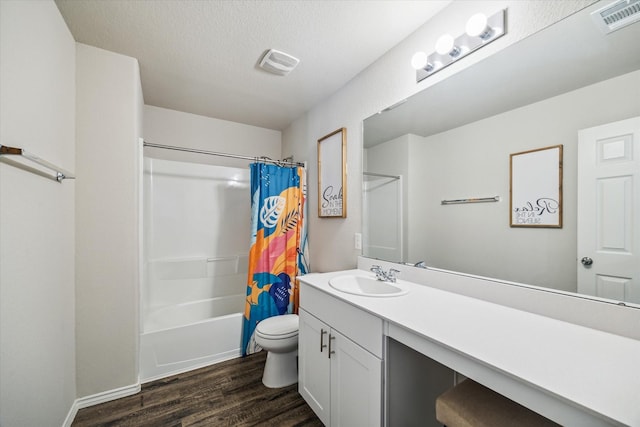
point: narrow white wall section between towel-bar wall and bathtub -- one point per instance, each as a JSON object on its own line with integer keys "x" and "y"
{"x": 109, "y": 123}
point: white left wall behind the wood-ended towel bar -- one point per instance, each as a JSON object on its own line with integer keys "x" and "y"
{"x": 37, "y": 110}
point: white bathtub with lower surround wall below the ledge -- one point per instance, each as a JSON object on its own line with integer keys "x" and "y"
{"x": 193, "y": 317}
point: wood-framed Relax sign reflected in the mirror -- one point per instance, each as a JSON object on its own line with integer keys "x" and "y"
{"x": 536, "y": 188}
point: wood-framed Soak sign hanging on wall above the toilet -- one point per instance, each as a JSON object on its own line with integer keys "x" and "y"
{"x": 332, "y": 197}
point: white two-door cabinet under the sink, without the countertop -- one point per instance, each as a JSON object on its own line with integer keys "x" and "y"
{"x": 339, "y": 360}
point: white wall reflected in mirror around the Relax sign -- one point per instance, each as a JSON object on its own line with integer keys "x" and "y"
{"x": 473, "y": 161}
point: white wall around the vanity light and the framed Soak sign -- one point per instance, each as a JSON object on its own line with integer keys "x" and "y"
{"x": 387, "y": 81}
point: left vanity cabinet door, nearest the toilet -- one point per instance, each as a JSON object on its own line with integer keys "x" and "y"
{"x": 314, "y": 370}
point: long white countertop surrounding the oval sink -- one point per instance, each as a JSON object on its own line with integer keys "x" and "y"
{"x": 593, "y": 370}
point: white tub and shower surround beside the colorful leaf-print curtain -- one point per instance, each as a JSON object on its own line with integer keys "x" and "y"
{"x": 195, "y": 265}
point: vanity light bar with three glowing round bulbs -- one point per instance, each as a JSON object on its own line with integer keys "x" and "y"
{"x": 480, "y": 31}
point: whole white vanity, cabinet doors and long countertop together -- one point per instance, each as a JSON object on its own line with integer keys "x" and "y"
{"x": 482, "y": 339}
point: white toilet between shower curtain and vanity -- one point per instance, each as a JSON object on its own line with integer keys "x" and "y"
{"x": 279, "y": 336}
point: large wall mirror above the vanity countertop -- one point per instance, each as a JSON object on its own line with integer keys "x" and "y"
{"x": 453, "y": 141}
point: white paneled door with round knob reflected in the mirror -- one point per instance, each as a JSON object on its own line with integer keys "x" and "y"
{"x": 609, "y": 211}
